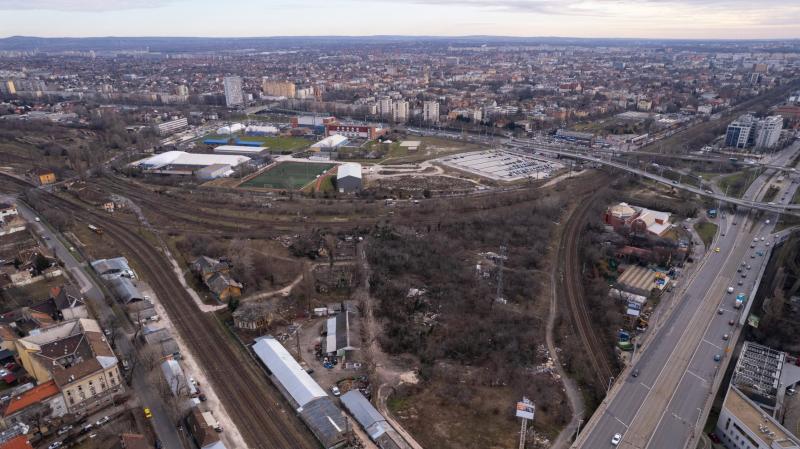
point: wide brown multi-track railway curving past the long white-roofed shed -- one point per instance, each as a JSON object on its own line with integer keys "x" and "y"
{"x": 254, "y": 404}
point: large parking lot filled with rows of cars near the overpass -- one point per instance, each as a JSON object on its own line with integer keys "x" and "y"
{"x": 501, "y": 165}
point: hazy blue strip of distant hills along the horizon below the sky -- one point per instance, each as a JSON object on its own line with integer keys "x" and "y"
{"x": 196, "y": 44}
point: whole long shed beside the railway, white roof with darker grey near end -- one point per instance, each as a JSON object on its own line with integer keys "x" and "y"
{"x": 315, "y": 408}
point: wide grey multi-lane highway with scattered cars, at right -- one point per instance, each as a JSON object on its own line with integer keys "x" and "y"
{"x": 660, "y": 408}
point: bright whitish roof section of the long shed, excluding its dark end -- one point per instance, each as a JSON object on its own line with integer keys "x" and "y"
{"x": 292, "y": 377}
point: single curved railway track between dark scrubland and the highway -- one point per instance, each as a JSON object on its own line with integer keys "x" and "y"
{"x": 572, "y": 287}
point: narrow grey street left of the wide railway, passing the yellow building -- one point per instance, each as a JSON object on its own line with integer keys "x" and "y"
{"x": 146, "y": 395}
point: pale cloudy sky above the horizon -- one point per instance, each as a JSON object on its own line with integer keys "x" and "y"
{"x": 689, "y": 19}
